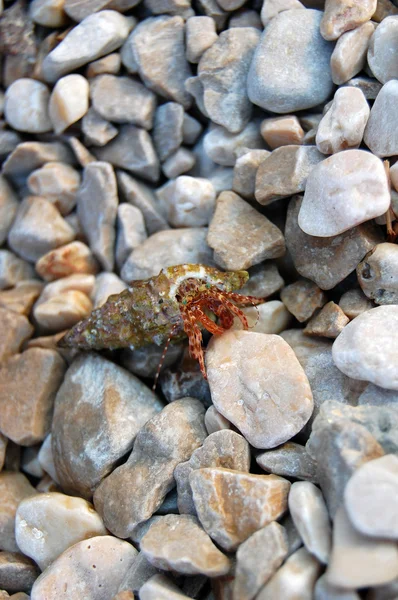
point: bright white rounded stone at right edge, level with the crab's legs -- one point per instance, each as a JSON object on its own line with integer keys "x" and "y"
{"x": 365, "y": 348}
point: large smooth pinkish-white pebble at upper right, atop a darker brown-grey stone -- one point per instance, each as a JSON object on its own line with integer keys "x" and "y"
{"x": 343, "y": 191}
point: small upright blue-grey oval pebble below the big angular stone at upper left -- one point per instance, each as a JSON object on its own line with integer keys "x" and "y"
{"x": 167, "y": 129}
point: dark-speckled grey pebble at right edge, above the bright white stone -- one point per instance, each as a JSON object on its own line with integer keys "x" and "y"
{"x": 378, "y": 274}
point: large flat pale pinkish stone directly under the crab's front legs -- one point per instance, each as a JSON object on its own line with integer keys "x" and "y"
{"x": 233, "y": 365}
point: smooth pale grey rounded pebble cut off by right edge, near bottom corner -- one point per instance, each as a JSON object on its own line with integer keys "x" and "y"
{"x": 374, "y": 485}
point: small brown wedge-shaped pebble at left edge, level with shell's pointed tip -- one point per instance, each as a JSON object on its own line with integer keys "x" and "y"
{"x": 14, "y": 331}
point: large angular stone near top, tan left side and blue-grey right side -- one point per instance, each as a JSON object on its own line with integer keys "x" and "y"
{"x": 158, "y": 48}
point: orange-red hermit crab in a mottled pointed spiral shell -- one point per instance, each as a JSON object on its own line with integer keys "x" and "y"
{"x": 177, "y": 302}
